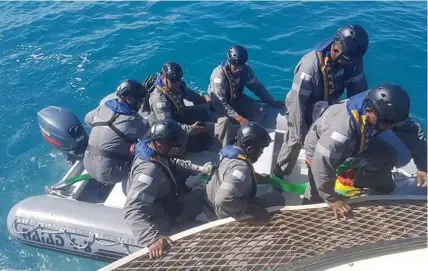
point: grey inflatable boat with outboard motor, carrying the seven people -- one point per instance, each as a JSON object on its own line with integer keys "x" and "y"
{"x": 80, "y": 216}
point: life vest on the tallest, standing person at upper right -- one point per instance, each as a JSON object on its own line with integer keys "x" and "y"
{"x": 325, "y": 66}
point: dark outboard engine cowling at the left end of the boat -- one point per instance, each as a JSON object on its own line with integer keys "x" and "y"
{"x": 63, "y": 130}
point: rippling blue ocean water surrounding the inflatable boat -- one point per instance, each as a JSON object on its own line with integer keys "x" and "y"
{"x": 72, "y": 54}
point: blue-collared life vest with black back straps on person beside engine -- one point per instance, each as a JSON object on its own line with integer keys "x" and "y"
{"x": 118, "y": 109}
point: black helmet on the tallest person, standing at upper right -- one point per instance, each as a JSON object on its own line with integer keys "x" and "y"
{"x": 354, "y": 40}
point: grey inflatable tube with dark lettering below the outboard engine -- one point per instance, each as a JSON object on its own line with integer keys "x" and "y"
{"x": 71, "y": 226}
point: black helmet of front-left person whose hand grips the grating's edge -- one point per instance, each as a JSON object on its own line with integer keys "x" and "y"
{"x": 169, "y": 132}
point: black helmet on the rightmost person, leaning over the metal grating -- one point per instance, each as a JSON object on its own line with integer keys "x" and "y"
{"x": 390, "y": 103}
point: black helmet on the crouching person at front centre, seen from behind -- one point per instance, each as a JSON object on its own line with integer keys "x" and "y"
{"x": 253, "y": 135}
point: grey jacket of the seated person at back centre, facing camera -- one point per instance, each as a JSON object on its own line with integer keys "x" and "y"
{"x": 219, "y": 89}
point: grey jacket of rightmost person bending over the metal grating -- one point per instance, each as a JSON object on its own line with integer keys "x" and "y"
{"x": 331, "y": 140}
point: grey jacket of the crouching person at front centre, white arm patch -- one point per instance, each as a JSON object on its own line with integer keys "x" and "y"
{"x": 231, "y": 188}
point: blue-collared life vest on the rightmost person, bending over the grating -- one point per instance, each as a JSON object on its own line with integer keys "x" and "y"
{"x": 362, "y": 129}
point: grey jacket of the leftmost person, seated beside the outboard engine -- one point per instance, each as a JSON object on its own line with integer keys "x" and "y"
{"x": 104, "y": 138}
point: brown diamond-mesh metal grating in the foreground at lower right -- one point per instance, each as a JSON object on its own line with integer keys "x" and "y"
{"x": 292, "y": 236}
